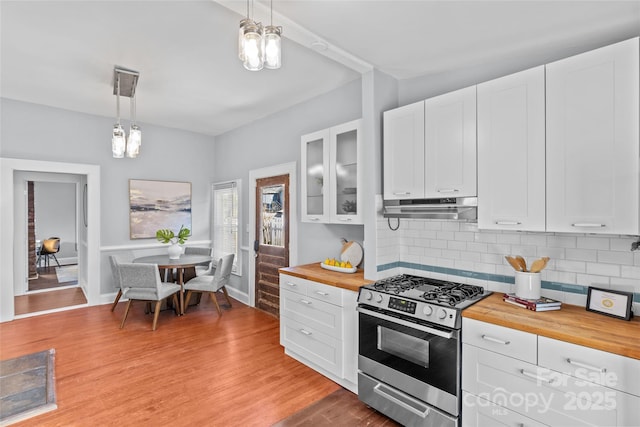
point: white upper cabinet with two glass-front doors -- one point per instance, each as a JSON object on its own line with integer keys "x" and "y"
{"x": 331, "y": 162}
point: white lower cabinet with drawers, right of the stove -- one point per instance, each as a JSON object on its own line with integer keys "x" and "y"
{"x": 500, "y": 388}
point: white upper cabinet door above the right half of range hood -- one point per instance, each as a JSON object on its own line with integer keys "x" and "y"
{"x": 450, "y": 144}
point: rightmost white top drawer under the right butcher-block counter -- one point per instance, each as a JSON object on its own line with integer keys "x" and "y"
{"x": 607, "y": 369}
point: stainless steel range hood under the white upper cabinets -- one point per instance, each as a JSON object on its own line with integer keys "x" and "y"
{"x": 454, "y": 208}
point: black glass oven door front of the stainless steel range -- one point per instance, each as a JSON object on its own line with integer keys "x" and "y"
{"x": 426, "y": 357}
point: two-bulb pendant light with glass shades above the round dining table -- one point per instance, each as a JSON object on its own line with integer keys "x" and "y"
{"x": 124, "y": 83}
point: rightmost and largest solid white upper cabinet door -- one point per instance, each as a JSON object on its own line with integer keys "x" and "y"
{"x": 593, "y": 144}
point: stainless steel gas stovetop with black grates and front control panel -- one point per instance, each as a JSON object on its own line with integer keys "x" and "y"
{"x": 432, "y": 300}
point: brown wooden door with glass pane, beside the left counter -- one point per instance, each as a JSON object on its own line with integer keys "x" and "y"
{"x": 272, "y": 240}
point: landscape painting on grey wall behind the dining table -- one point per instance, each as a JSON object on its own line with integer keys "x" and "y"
{"x": 158, "y": 204}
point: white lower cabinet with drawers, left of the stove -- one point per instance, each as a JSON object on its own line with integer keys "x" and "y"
{"x": 318, "y": 327}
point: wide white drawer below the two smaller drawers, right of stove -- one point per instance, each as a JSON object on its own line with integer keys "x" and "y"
{"x": 544, "y": 395}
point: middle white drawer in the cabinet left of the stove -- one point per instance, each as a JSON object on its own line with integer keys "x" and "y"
{"x": 320, "y": 315}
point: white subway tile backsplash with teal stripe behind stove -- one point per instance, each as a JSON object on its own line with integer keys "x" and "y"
{"x": 576, "y": 259}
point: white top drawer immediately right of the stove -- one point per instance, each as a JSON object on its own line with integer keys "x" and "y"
{"x": 506, "y": 341}
